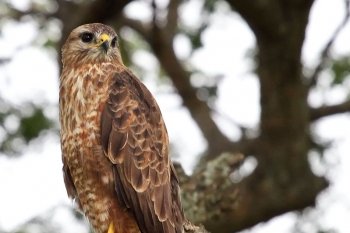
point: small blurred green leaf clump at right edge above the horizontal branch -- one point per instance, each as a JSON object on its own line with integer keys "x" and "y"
{"x": 341, "y": 70}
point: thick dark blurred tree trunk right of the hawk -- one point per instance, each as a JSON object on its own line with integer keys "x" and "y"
{"x": 283, "y": 180}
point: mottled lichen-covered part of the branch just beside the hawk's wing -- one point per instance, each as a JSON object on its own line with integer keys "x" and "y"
{"x": 199, "y": 203}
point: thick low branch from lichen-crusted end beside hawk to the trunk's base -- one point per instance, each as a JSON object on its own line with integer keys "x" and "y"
{"x": 210, "y": 197}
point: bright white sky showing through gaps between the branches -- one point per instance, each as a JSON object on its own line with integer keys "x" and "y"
{"x": 33, "y": 184}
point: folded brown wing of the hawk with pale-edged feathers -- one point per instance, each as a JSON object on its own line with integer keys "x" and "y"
{"x": 134, "y": 138}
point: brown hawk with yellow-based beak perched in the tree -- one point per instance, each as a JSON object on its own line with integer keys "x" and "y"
{"x": 115, "y": 147}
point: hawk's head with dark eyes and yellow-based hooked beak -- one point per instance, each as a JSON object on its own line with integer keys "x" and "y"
{"x": 91, "y": 43}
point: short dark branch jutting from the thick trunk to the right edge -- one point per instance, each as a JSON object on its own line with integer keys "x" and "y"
{"x": 317, "y": 113}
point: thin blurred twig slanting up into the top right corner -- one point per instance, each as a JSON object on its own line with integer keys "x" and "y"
{"x": 325, "y": 54}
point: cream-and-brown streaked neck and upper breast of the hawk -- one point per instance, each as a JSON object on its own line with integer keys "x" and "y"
{"x": 82, "y": 91}
